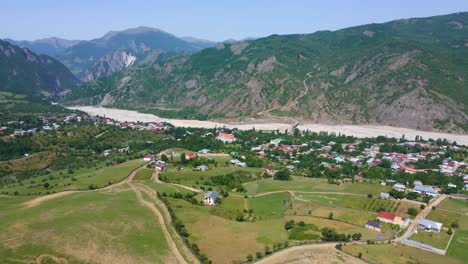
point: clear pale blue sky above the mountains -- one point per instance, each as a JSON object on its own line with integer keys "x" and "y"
{"x": 209, "y": 19}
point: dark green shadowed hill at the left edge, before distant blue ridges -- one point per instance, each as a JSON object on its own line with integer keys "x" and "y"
{"x": 24, "y": 72}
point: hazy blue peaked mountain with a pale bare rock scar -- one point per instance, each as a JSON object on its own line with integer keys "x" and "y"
{"x": 109, "y": 53}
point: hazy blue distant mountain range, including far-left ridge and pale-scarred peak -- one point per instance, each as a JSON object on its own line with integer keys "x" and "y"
{"x": 115, "y": 51}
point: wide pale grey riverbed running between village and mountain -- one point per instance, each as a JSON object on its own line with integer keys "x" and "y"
{"x": 352, "y": 130}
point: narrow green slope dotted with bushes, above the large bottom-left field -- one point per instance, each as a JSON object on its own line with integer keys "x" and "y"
{"x": 70, "y": 180}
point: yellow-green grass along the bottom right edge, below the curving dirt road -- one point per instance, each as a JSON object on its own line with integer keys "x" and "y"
{"x": 399, "y": 254}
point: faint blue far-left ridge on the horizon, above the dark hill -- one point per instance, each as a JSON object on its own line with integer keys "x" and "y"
{"x": 48, "y": 46}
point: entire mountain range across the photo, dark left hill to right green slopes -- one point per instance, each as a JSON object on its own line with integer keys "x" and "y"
{"x": 407, "y": 73}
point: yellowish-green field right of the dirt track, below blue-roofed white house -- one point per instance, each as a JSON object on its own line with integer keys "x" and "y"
{"x": 226, "y": 240}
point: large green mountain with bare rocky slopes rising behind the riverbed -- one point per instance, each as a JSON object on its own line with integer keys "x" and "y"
{"x": 408, "y": 73}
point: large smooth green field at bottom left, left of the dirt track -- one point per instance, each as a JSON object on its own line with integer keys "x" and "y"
{"x": 78, "y": 227}
